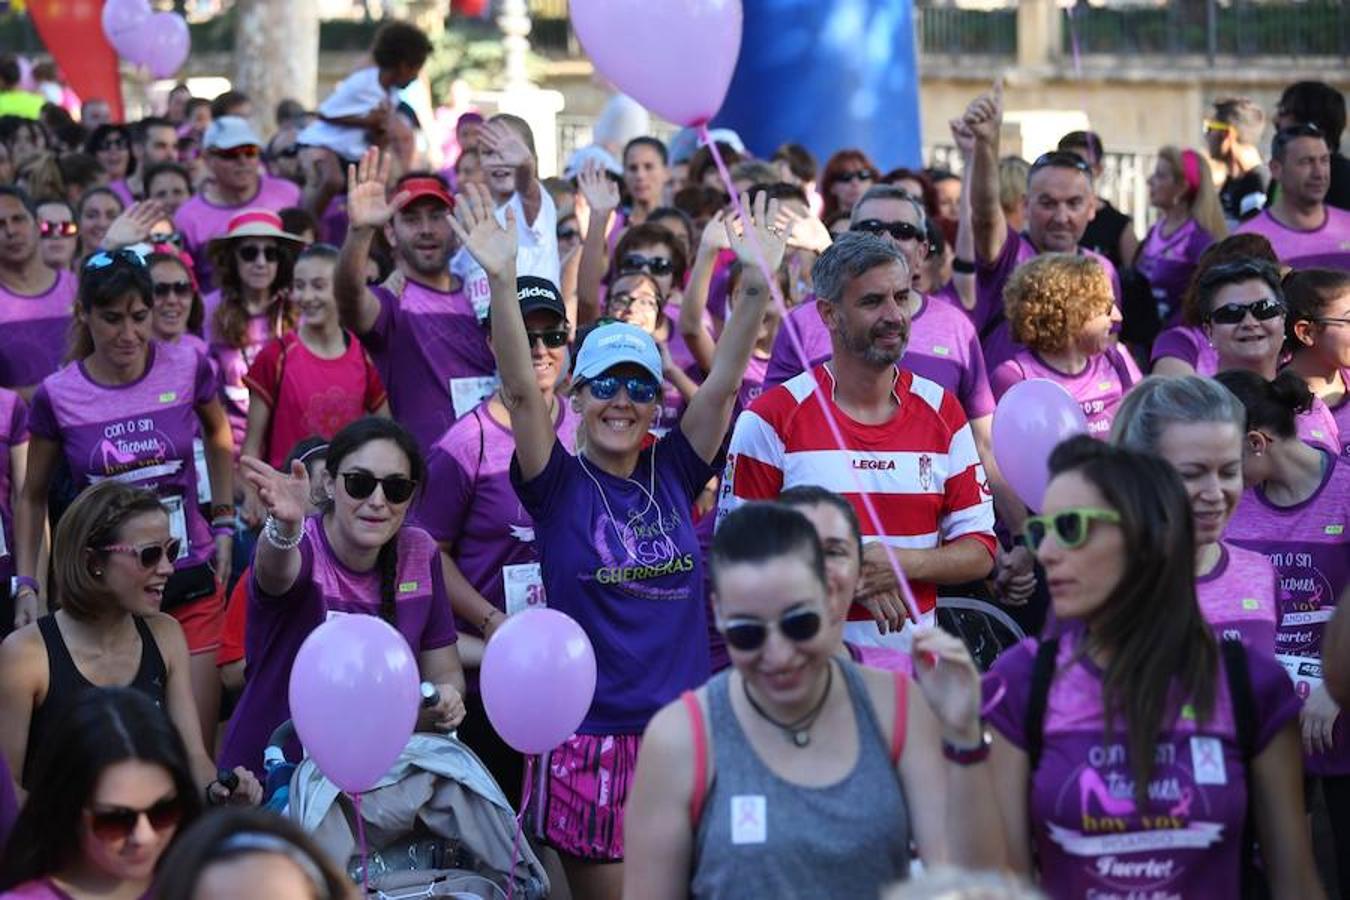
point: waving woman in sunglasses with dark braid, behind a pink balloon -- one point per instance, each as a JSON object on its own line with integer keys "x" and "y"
{"x": 354, "y": 558}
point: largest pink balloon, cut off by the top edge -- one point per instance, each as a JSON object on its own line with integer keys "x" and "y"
{"x": 676, "y": 57}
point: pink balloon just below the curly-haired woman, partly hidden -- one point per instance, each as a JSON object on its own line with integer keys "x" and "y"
{"x": 1029, "y": 422}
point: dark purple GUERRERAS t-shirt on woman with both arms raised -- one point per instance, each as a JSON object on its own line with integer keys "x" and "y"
{"x": 620, "y": 557}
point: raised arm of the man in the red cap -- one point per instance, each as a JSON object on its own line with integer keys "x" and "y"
{"x": 368, "y": 211}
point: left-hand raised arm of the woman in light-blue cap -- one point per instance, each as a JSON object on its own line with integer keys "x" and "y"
{"x": 495, "y": 249}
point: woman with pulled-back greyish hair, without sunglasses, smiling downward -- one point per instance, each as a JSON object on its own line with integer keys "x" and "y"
{"x": 1197, "y": 426}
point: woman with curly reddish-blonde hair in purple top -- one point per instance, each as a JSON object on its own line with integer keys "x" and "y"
{"x": 1062, "y": 308}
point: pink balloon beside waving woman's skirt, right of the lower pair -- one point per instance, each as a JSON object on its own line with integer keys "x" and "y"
{"x": 538, "y": 679}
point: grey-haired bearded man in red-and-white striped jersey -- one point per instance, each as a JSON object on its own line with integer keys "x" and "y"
{"x": 908, "y": 443}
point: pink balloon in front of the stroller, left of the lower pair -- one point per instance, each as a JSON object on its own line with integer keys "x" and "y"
{"x": 354, "y": 696}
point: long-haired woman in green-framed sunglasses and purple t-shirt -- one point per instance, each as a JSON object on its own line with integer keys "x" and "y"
{"x": 1118, "y": 760}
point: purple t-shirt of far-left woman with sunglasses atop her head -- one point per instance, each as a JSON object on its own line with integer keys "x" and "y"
{"x": 140, "y": 434}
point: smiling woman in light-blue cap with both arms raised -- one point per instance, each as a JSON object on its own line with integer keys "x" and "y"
{"x": 616, "y": 543}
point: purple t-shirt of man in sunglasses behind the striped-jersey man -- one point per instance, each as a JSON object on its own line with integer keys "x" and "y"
{"x": 943, "y": 347}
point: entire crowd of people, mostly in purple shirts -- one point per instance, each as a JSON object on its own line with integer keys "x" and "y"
{"x": 743, "y": 439}
